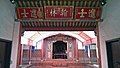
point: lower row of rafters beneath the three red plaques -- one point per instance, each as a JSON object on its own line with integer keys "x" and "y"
{"x": 59, "y": 25}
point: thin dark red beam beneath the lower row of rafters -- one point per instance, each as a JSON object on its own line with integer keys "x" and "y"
{"x": 58, "y": 28}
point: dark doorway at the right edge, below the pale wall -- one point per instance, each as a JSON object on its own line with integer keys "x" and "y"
{"x": 113, "y": 47}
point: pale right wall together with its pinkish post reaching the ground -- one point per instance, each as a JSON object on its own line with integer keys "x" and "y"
{"x": 110, "y": 27}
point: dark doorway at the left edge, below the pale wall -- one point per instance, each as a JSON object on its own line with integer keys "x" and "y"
{"x": 5, "y": 52}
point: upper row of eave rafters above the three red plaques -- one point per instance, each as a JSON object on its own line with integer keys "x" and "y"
{"x": 41, "y": 3}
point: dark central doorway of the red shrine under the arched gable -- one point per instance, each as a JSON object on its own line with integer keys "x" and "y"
{"x": 59, "y": 50}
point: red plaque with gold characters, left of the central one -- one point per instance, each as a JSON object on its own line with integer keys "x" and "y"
{"x": 30, "y": 13}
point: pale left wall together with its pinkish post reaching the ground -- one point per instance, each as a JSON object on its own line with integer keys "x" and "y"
{"x": 9, "y": 29}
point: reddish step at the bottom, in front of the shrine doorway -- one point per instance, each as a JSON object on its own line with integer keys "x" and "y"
{"x": 60, "y": 64}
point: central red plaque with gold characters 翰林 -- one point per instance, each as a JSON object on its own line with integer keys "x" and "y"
{"x": 58, "y": 12}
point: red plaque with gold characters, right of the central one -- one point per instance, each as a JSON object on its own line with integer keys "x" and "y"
{"x": 87, "y": 13}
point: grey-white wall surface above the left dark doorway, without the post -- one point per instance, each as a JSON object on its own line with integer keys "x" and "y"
{"x": 6, "y": 19}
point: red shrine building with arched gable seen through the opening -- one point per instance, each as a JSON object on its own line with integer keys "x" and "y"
{"x": 60, "y": 47}
